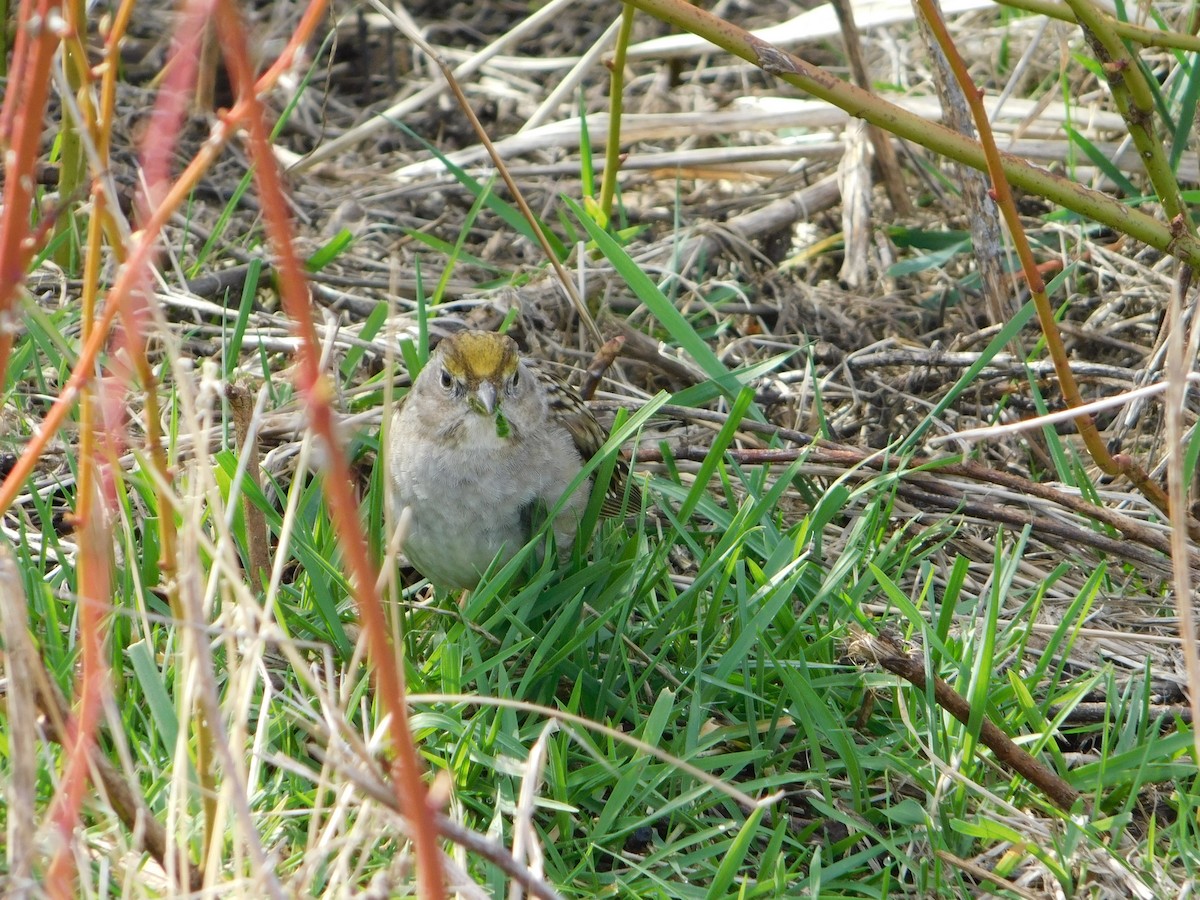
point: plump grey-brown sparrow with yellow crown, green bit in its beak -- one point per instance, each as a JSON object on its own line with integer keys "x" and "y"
{"x": 483, "y": 443}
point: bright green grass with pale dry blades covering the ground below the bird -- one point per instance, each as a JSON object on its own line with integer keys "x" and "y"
{"x": 715, "y": 629}
